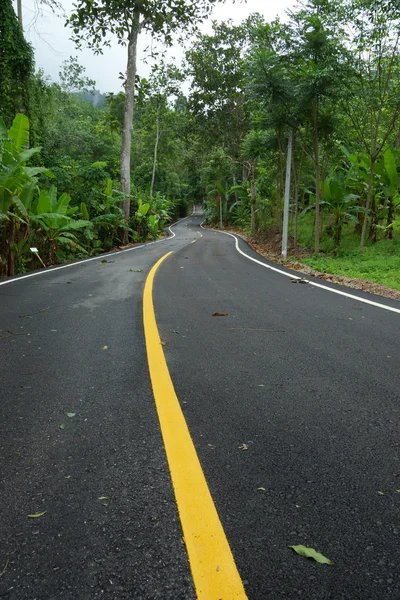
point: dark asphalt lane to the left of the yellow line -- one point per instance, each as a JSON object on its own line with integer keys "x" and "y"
{"x": 129, "y": 545}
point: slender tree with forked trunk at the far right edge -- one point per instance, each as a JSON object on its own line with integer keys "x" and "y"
{"x": 373, "y": 101}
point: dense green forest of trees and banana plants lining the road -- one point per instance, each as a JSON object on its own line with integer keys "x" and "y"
{"x": 82, "y": 172}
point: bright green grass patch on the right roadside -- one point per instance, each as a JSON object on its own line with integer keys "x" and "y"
{"x": 378, "y": 262}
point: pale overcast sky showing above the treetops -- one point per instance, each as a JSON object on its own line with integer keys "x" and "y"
{"x": 52, "y": 45}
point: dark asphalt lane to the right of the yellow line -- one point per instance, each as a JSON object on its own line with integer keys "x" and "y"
{"x": 309, "y": 381}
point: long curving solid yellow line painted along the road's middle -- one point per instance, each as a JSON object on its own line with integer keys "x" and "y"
{"x": 214, "y": 572}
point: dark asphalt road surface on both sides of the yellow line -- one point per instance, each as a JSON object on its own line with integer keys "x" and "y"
{"x": 292, "y": 402}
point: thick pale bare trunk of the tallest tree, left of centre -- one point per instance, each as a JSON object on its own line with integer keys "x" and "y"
{"x": 125, "y": 162}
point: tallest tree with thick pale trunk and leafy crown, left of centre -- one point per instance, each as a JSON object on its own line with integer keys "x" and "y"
{"x": 93, "y": 20}
